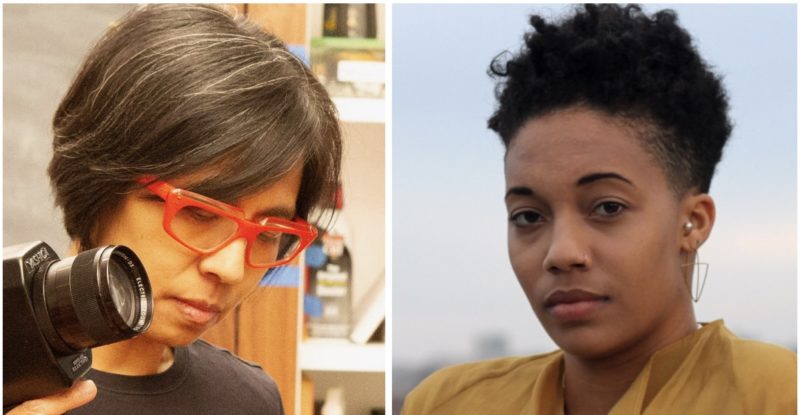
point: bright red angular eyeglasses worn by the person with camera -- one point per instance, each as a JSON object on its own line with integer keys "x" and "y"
{"x": 205, "y": 226}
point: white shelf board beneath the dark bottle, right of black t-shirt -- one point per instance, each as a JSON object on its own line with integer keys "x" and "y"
{"x": 341, "y": 355}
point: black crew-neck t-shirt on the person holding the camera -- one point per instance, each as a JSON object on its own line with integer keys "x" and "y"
{"x": 203, "y": 379}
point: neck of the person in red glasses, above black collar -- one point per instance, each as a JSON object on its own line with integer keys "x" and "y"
{"x": 136, "y": 357}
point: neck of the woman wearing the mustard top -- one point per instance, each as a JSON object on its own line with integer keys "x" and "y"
{"x": 594, "y": 385}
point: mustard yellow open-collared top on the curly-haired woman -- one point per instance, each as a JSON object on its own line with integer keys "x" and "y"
{"x": 710, "y": 371}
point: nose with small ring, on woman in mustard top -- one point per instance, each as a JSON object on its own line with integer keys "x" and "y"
{"x": 568, "y": 248}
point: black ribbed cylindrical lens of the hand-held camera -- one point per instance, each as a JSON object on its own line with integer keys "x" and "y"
{"x": 98, "y": 297}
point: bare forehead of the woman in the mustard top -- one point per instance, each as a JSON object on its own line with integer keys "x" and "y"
{"x": 567, "y": 144}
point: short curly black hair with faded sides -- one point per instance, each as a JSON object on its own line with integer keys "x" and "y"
{"x": 617, "y": 60}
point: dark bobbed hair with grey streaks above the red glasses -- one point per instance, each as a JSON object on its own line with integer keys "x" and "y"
{"x": 174, "y": 90}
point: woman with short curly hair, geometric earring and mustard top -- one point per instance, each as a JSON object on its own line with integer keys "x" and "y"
{"x": 613, "y": 126}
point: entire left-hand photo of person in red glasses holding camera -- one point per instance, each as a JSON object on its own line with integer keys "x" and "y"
{"x": 194, "y": 208}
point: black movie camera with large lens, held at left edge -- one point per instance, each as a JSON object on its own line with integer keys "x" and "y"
{"x": 55, "y": 310}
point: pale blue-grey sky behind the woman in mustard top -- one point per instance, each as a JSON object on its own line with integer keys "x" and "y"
{"x": 452, "y": 284}
